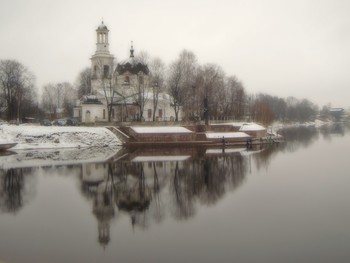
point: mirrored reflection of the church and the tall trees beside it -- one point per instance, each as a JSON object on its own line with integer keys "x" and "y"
{"x": 151, "y": 184}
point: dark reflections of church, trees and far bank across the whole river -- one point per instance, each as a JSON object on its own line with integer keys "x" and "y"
{"x": 149, "y": 185}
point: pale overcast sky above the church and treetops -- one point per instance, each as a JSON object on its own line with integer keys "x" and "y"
{"x": 297, "y": 48}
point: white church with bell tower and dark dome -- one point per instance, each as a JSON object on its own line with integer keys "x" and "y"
{"x": 123, "y": 93}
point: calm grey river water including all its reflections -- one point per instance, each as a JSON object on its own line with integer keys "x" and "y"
{"x": 286, "y": 203}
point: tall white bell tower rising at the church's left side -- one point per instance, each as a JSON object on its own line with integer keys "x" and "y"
{"x": 102, "y": 60}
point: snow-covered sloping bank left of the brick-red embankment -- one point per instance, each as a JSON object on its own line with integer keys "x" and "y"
{"x": 42, "y": 137}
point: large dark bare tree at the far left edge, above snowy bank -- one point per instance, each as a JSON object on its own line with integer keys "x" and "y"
{"x": 16, "y": 84}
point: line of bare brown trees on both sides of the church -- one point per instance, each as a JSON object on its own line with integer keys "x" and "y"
{"x": 201, "y": 92}
